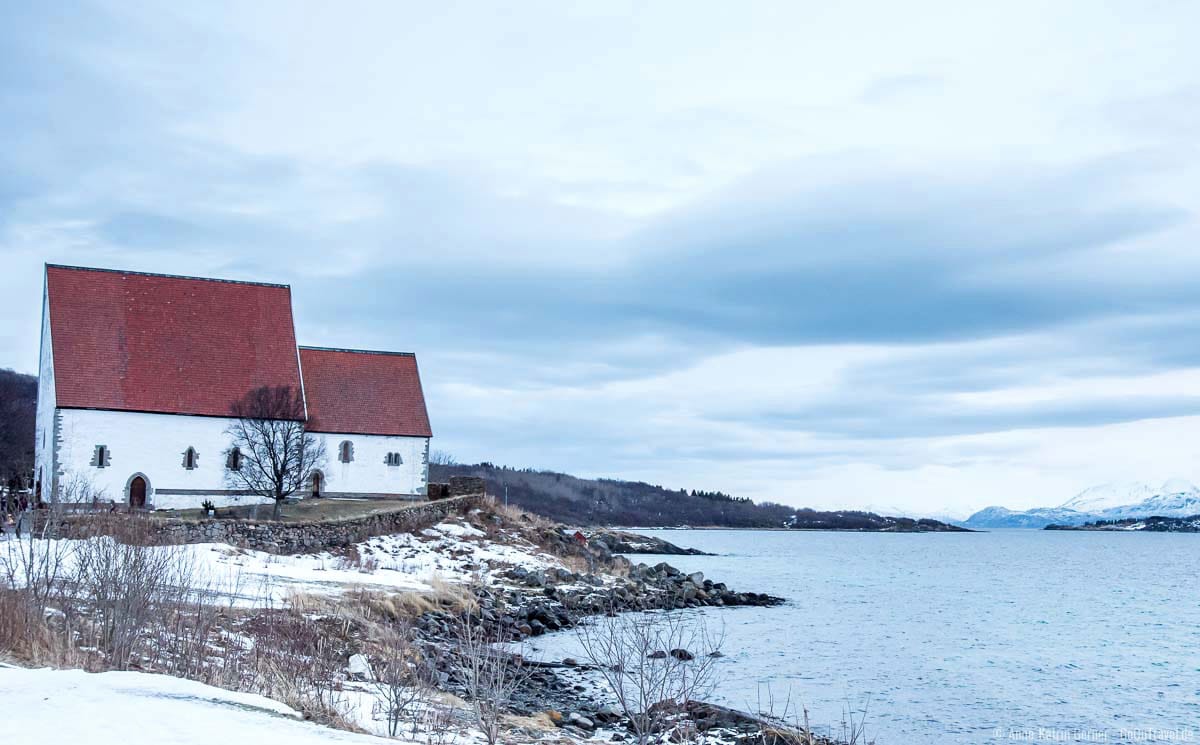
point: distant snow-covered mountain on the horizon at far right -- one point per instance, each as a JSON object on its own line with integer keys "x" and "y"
{"x": 1174, "y": 498}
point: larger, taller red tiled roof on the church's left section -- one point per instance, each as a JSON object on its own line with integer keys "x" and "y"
{"x": 160, "y": 344}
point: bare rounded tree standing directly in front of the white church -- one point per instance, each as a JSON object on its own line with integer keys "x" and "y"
{"x": 273, "y": 453}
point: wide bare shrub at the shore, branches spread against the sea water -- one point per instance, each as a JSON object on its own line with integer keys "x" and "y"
{"x": 655, "y": 664}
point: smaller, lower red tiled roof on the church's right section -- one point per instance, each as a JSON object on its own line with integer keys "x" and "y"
{"x": 364, "y": 393}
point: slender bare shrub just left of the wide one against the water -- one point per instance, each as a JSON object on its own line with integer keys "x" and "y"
{"x": 490, "y": 675}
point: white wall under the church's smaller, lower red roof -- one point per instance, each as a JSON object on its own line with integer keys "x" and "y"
{"x": 369, "y": 472}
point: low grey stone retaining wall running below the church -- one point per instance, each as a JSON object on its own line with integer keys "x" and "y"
{"x": 278, "y": 537}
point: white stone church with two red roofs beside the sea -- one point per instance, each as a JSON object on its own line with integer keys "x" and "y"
{"x": 139, "y": 374}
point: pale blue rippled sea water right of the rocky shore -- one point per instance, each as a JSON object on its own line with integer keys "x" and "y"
{"x": 989, "y": 638}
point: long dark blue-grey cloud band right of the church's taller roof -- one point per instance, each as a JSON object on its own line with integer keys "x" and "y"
{"x": 797, "y": 269}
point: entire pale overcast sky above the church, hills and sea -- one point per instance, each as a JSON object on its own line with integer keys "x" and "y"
{"x": 917, "y": 256}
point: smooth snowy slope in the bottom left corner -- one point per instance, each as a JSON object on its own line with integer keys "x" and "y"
{"x": 49, "y": 706}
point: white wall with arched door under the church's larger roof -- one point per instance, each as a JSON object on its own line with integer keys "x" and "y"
{"x": 152, "y": 446}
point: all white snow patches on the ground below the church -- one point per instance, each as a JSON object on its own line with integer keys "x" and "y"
{"x": 135, "y": 708}
